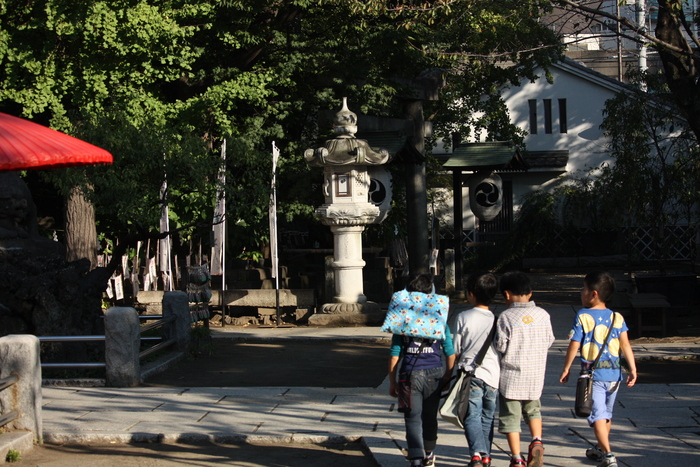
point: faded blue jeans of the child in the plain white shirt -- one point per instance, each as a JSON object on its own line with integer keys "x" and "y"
{"x": 478, "y": 424}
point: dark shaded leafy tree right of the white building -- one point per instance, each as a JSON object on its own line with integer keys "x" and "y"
{"x": 653, "y": 178}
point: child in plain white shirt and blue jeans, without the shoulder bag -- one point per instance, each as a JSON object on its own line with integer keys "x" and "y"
{"x": 472, "y": 328}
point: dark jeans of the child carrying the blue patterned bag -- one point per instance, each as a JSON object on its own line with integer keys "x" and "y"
{"x": 421, "y": 422}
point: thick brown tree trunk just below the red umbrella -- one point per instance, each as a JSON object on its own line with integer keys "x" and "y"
{"x": 81, "y": 233}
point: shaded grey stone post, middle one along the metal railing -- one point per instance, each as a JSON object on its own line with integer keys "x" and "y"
{"x": 122, "y": 347}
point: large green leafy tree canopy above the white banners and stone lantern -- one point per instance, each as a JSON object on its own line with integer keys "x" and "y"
{"x": 160, "y": 83}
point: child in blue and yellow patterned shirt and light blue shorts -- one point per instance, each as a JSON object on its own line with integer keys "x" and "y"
{"x": 591, "y": 328}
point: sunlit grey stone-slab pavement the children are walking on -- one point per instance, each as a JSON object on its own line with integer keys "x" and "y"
{"x": 655, "y": 424}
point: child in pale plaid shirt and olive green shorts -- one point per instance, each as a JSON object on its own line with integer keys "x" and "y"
{"x": 523, "y": 335}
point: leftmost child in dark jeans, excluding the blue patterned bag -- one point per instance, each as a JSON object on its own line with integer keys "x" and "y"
{"x": 422, "y": 360}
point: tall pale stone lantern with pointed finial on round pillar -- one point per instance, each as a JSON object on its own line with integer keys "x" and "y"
{"x": 347, "y": 210}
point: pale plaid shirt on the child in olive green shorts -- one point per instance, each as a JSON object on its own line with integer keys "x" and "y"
{"x": 523, "y": 335}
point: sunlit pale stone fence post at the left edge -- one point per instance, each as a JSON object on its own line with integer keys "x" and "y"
{"x": 19, "y": 356}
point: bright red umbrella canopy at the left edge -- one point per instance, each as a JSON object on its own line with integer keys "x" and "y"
{"x": 28, "y": 145}
